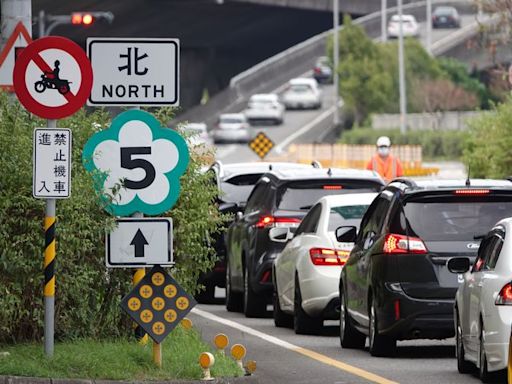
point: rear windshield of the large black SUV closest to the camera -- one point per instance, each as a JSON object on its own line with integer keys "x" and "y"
{"x": 452, "y": 218}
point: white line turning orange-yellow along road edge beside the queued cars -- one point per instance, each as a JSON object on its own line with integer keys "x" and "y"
{"x": 292, "y": 347}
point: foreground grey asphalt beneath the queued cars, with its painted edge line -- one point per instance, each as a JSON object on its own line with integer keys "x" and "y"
{"x": 284, "y": 357}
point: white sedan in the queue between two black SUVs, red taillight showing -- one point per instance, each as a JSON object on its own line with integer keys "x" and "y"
{"x": 307, "y": 273}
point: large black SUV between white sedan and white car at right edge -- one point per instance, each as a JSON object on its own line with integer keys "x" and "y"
{"x": 396, "y": 284}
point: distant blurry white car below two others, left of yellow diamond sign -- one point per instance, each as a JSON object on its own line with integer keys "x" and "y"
{"x": 232, "y": 128}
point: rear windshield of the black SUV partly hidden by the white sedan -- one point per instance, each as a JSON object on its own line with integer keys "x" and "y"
{"x": 302, "y": 196}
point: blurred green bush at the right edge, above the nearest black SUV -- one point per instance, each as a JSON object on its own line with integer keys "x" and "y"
{"x": 488, "y": 148}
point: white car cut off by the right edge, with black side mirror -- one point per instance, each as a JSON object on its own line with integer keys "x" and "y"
{"x": 483, "y": 304}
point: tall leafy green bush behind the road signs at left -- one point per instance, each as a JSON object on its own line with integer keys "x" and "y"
{"x": 87, "y": 294}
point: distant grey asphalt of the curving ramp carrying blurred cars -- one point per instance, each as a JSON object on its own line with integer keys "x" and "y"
{"x": 309, "y": 125}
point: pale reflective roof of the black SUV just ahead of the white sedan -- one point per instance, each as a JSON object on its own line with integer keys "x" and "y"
{"x": 323, "y": 173}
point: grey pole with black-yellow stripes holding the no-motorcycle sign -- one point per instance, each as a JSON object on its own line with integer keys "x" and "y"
{"x": 49, "y": 270}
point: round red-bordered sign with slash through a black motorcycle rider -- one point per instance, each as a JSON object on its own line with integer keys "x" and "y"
{"x": 50, "y": 80}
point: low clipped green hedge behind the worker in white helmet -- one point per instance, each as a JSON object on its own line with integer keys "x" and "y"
{"x": 435, "y": 144}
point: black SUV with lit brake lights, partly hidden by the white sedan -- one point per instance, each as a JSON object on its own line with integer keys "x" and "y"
{"x": 279, "y": 199}
